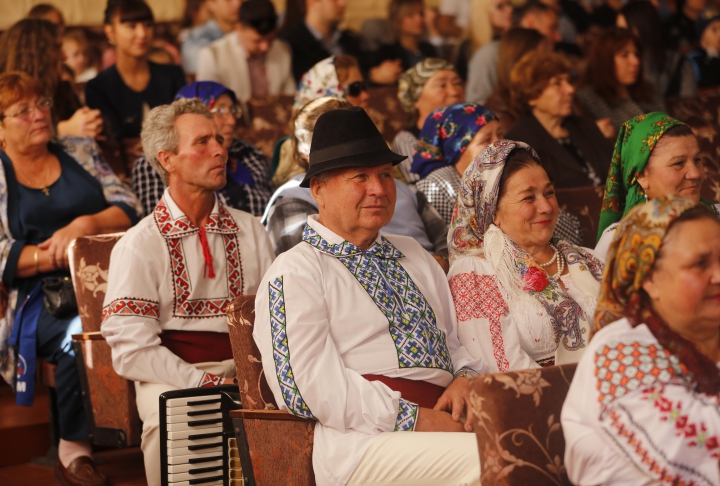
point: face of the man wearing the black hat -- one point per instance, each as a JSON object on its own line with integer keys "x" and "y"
{"x": 356, "y": 200}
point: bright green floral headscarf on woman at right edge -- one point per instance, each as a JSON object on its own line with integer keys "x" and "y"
{"x": 636, "y": 140}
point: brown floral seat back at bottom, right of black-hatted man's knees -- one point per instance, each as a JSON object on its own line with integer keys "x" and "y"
{"x": 517, "y": 425}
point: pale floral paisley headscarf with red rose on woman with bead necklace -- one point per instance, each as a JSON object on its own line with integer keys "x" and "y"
{"x": 521, "y": 280}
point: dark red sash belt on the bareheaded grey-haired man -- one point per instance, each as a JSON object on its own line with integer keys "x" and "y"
{"x": 198, "y": 346}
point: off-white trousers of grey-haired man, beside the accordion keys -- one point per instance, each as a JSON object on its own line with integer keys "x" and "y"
{"x": 147, "y": 395}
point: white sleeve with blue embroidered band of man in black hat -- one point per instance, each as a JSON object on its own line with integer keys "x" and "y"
{"x": 302, "y": 364}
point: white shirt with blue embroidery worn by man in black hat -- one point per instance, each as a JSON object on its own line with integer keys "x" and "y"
{"x": 328, "y": 313}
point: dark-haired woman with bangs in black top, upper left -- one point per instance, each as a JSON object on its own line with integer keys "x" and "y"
{"x": 126, "y": 91}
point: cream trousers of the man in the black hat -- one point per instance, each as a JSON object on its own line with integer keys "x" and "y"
{"x": 420, "y": 459}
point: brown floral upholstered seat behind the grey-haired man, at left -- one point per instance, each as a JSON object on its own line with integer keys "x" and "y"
{"x": 109, "y": 398}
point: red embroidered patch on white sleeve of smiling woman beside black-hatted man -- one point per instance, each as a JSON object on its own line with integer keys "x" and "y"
{"x": 478, "y": 296}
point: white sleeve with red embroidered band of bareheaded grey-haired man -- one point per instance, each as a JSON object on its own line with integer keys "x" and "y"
{"x": 131, "y": 323}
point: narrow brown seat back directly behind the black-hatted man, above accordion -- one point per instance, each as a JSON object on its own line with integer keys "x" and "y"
{"x": 254, "y": 390}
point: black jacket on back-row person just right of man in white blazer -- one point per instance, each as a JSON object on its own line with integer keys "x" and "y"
{"x": 308, "y": 51}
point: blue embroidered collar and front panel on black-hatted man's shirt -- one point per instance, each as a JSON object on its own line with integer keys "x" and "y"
{"x": 413, "y": 324}
